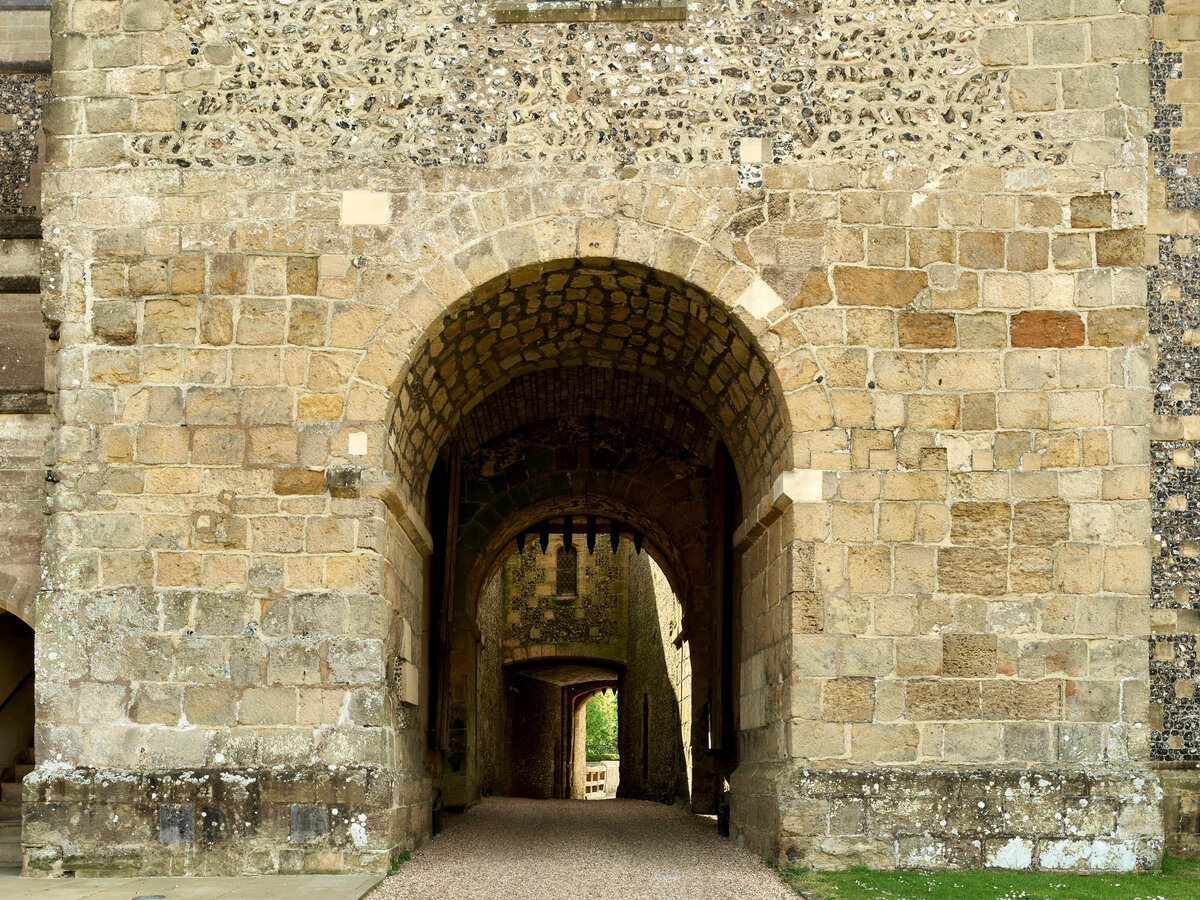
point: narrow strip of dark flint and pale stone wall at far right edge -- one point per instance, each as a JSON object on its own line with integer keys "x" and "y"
{"x": 1173, "y": 292}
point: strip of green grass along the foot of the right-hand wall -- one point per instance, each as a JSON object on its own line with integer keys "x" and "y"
{"x": 1179, "y": 880}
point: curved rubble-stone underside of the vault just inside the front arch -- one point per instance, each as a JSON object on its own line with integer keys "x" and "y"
{"x": 607, "y": 316}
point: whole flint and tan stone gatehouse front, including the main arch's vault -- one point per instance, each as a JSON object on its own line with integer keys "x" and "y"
{"x": 877, "y": 321}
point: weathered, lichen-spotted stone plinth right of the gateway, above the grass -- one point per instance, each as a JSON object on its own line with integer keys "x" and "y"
{"x": 893, "y": 818}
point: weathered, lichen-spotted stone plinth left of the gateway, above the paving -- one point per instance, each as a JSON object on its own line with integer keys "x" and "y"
{"x": 111, "y": 823}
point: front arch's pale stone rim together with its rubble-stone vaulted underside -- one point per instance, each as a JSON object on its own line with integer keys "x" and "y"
{"x": 737, "y": 311}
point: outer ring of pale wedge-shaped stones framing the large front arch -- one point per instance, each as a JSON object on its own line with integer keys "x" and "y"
{"x": 681, "y": 253}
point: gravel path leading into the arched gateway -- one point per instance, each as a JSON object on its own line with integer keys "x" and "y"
{"x": 593, "y": 850}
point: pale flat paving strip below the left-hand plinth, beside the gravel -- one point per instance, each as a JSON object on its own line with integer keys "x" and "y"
{"x": 284, "y": 887}
